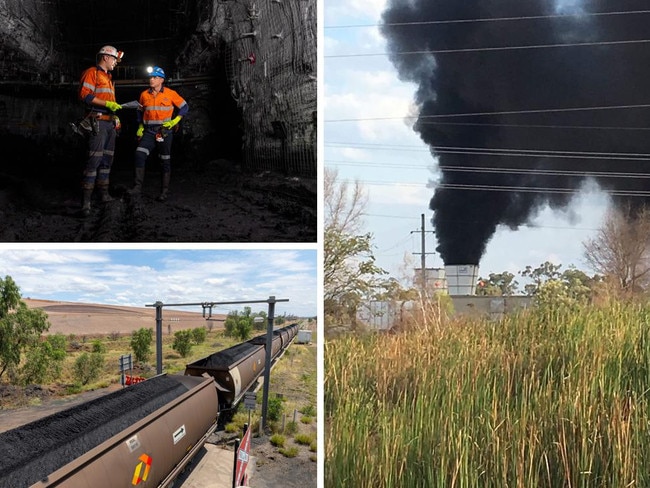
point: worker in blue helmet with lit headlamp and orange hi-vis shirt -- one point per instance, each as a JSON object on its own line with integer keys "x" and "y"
{"x": 162, "y": 109}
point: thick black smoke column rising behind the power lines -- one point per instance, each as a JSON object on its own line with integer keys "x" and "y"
{"x": 516, "y": 80}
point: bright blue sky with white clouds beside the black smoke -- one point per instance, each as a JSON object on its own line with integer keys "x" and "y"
{"x": 367, "y": 138}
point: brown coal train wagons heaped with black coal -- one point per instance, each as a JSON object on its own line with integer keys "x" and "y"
{"x": 143, "y": 435}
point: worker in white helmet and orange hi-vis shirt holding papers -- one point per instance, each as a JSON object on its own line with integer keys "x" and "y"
{"x": 97, "y": 91}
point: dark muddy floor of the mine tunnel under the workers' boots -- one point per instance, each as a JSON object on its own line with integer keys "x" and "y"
{"x": 217, "y": 203}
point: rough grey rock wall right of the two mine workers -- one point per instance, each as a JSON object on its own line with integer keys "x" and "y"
{"x": 268, "y": 49}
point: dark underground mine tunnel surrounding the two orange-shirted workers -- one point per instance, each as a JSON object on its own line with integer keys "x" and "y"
{"x": 243, "y": 159}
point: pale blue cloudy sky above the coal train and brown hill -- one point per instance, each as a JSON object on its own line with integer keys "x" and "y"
{"x": 139, "y": 277}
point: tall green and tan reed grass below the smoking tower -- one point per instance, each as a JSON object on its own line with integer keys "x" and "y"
{"x": 545, "y": 399}
